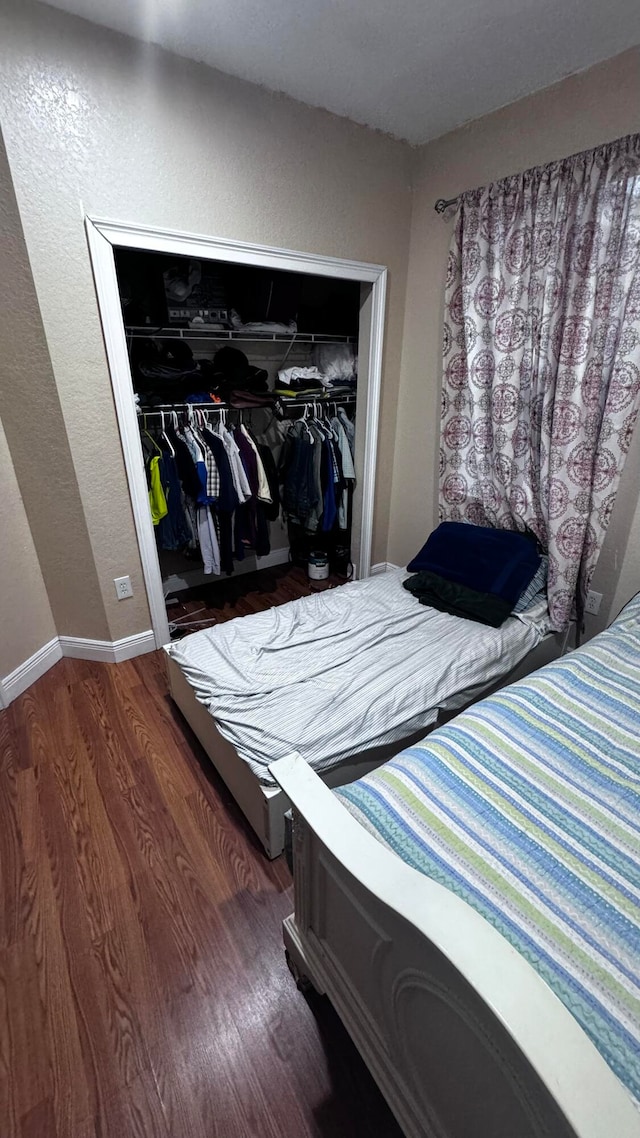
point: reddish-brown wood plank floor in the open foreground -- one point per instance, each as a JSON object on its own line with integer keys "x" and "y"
{"x": 143, "y": 982}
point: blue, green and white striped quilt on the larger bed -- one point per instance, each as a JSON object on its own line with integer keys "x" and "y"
{"x": 528, "y": 807}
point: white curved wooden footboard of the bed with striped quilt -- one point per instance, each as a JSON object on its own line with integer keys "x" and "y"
{"x": 461, "y": 1034}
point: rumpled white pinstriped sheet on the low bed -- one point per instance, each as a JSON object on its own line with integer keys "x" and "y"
{"x": 341, "y": 672}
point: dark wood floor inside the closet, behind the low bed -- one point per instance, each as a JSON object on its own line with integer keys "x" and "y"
{"x": 239, "y": 597}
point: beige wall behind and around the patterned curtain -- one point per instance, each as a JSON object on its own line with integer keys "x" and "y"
{"x": 582, "y": 112}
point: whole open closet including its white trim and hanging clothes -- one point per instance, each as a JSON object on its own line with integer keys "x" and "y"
{"x": 248, "y": 399}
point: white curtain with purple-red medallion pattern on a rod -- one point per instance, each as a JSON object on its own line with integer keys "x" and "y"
{"x": 541, "y": 351}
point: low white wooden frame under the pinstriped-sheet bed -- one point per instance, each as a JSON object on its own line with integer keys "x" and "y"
{"x": 265, "y": 807}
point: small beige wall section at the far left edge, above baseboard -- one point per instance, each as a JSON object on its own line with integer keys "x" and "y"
{"x": 28, "y": 622}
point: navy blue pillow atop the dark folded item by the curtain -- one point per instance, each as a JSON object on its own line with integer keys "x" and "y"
{"x": 498, "y": 562}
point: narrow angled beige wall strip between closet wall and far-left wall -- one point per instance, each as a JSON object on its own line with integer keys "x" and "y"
{"x": 30, "y": 410}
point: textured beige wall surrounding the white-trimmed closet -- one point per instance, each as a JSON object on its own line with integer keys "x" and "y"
{"x": 97, "y": 125}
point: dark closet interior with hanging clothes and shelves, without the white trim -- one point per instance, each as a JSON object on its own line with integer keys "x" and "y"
{"x": 247, "y": 389}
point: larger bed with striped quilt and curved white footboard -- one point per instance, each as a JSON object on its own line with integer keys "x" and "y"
{"x": 472, "y": 908}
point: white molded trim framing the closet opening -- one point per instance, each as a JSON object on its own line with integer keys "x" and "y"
{"x": 104, "y": 237}
